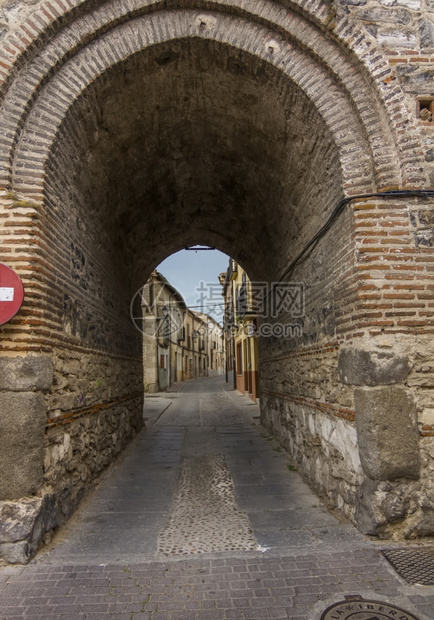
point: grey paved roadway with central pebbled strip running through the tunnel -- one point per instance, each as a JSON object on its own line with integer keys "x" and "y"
{"x": 201, "y": 478}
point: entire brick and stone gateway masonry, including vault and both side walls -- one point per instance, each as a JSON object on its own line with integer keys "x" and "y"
{"x": 249, "y": 122}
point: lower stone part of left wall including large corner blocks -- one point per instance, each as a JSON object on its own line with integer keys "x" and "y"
{"x": 63, "y": 418}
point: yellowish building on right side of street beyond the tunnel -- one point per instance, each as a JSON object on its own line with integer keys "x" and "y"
{"x": 240, "y": 326}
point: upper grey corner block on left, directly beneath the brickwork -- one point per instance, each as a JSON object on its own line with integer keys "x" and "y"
{"x": 23, "y": 374}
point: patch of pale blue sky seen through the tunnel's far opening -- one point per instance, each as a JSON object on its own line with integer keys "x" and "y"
{"x": 195, "y": 275}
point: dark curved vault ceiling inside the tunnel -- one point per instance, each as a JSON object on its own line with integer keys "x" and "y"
{"x": 195, "y": 142}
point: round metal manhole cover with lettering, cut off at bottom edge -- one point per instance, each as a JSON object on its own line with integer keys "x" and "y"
{"x": 356, "y": 608}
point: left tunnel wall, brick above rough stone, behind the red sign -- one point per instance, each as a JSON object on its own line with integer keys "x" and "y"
{"x": 71, "y": 388}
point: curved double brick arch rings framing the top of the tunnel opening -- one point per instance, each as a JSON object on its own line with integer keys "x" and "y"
{"x": 299, "y": 45}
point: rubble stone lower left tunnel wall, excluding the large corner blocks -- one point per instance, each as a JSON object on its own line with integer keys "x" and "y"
{"x": 94, "y": 410}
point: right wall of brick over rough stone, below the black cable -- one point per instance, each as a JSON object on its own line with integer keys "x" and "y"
{"x": 353, "y": 402}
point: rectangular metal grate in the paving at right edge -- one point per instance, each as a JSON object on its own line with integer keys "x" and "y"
{"x": 413, "y": 565}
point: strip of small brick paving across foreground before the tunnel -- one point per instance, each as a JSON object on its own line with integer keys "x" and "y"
{"x": 172, "y": 590}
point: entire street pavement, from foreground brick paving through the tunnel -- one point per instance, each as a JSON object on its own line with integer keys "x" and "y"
{"x": 204, "y": 517}
